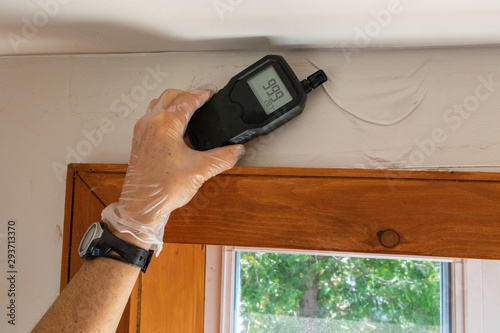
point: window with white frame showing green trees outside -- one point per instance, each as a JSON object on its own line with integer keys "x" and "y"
{"x": 303, "y": 291}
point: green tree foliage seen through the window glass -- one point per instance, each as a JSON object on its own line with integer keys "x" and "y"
{"x": 400, "y": 293}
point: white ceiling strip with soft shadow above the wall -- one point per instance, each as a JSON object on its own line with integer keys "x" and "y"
{"x": 95, "y": 26}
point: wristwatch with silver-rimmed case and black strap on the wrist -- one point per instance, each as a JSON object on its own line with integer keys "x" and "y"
{"x": 98, "y": 241}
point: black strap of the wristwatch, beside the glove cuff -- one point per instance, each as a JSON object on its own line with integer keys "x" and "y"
{"x": 116, "y": 248}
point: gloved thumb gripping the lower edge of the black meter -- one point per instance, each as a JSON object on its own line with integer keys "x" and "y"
{"x": 221, "y": 159}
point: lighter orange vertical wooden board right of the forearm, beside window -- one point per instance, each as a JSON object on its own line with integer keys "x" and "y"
{"x": 173, "y": 290}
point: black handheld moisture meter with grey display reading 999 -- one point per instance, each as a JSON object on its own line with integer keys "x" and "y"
{"x": 254, "y": 102}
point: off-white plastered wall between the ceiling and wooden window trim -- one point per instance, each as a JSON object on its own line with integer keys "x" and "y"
{"x": 48, "y": 103}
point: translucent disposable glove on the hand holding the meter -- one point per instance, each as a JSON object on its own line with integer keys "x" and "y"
{"x": 164, "y": 173}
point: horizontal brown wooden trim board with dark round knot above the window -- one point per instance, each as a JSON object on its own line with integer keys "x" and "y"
{"x": 430, "y": 213}
